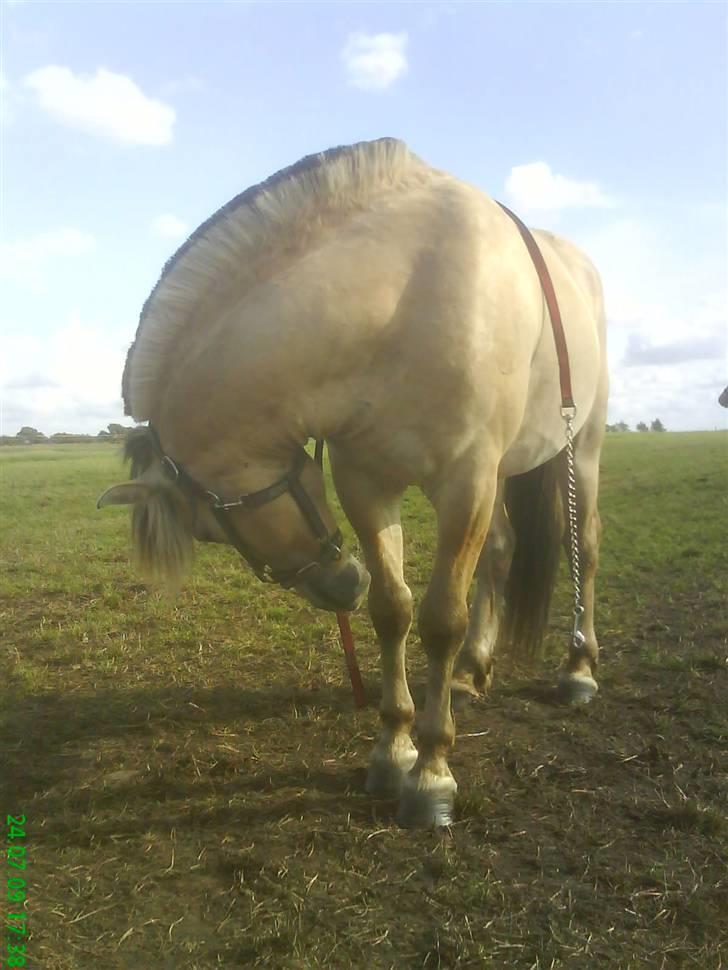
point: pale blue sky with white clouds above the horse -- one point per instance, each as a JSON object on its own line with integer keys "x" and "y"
{"x": 126, "y": 124}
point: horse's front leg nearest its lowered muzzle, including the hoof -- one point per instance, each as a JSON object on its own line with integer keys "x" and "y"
{"x": 374, "y": 514}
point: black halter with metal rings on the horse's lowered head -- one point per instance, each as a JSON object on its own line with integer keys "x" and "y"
{"x": 331, "y": 543}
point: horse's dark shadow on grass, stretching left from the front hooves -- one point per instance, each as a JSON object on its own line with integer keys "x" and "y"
{"x": 52, "y": 740}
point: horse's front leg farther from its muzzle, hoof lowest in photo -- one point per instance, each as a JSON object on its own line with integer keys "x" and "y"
{"x": 463, "y": 500}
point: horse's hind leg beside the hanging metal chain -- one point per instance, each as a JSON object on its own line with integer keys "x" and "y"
{"x": 578, "y": 679}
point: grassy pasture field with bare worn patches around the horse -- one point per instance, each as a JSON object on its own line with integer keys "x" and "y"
{"x": 192, "y": 772}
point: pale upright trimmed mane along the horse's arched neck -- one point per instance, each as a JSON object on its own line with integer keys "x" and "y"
{"x": 289, "y": 208}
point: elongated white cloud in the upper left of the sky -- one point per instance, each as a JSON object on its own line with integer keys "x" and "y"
{"x": 106, "y": 104}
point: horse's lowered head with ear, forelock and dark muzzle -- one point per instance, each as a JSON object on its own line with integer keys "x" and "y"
{"x": 284, "y": 530}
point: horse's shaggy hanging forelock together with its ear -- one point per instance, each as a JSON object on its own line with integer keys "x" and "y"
{"x": 161, "y": 522}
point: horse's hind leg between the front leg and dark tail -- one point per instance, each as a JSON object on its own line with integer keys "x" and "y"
{"x": 473, "y": 672}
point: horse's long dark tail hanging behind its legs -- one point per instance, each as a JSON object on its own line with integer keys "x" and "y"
{"x": 534, "y": 509}
